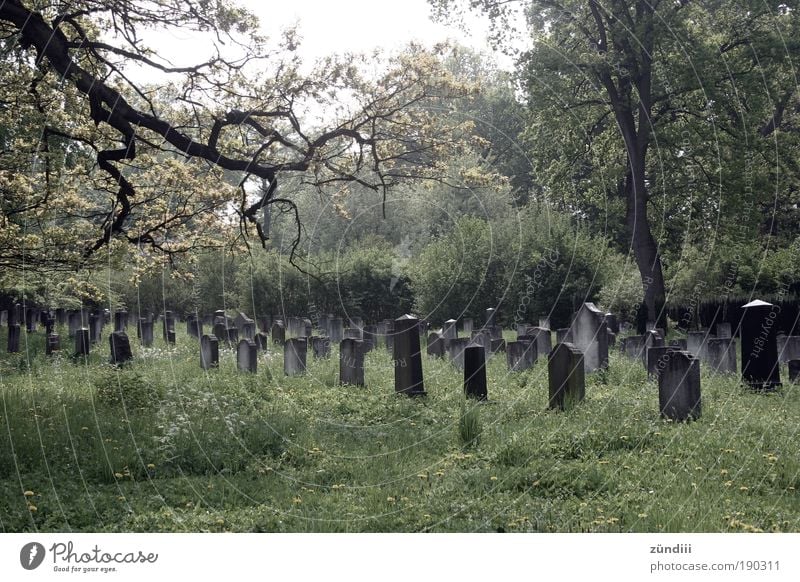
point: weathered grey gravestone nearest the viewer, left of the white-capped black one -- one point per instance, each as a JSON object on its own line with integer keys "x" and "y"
{"x": 679, "y": 387}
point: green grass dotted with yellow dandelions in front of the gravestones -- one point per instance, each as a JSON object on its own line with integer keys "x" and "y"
{"x": 162, "y": 445}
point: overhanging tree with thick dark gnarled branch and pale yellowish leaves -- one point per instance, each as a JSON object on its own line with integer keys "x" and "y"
{"x": 165, "y": 152}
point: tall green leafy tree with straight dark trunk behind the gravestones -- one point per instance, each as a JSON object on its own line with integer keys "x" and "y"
{"x": 606, "y": 81}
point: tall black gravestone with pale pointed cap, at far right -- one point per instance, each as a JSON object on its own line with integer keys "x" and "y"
{"x": 760, "y": 368}
